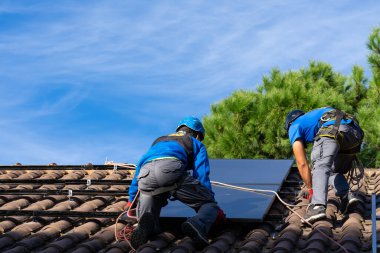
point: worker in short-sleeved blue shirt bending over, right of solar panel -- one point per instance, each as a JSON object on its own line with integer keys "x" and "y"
{"x": 336, "y": 138}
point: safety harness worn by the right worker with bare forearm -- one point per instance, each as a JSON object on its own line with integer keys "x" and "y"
{"x": 332, "y": 131}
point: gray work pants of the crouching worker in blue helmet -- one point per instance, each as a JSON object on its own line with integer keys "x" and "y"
{"x": 166, "y": 172}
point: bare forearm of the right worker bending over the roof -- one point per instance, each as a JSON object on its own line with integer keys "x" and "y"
{"x": 302, "y": 165}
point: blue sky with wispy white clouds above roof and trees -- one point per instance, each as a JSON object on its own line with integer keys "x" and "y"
{"x": 86, "y": 81}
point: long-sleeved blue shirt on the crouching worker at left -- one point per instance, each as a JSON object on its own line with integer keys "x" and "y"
{"x": 201, "y": 166}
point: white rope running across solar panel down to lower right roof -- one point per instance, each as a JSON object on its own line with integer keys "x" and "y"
{"x": 287, "y": 205}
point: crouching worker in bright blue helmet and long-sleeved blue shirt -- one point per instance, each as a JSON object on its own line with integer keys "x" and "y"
{"x": 176, "y": 167}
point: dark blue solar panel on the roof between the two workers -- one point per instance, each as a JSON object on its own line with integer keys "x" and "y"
{"x": 240, "y": 205}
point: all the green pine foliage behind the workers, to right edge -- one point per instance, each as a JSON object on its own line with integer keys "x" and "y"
{"x": 249, "y": 124}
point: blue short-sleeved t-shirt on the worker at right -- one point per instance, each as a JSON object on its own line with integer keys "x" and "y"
{"x": 306, "y": 126}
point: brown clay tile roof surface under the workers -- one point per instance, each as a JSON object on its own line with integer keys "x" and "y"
{"x": 281, "y": 231}
